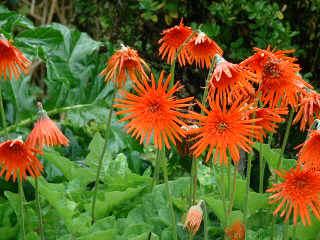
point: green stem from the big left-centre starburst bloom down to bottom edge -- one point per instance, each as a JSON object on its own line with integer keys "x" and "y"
{"x": 166, "y": 182}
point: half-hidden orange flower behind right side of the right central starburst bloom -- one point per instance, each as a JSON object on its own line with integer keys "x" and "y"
{"x": 268, "y": 118}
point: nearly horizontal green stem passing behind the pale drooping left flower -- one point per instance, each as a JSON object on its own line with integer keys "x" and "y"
{"x": 52, "y": 112}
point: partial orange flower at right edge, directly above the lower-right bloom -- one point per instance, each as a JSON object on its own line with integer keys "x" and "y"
{"x": 309, "y": 154}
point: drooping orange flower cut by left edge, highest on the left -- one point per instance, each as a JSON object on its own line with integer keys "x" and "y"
{"x": 11, "y": 59}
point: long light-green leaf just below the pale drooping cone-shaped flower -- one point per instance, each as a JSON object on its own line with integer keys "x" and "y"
{"x": 69, "y": 169}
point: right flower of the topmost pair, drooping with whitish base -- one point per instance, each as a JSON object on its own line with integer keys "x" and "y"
{"x": 201, "y": 49}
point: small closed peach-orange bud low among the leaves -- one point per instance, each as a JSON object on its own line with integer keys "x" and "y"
{"x": 193, "y": 219}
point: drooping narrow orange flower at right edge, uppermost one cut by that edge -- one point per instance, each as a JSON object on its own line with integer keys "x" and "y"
{"x": 309, "y": 108}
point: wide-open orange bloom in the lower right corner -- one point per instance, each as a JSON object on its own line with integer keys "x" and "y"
{"x": 299, "y": 191}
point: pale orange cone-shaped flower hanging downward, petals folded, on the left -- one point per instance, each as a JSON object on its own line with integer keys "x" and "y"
{"x": 45, "y": 132}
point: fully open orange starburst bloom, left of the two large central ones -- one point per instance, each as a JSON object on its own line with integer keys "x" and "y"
{"x": 154, "y": 111}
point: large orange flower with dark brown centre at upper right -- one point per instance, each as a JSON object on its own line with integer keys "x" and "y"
{"x": 278, "y": 75}
